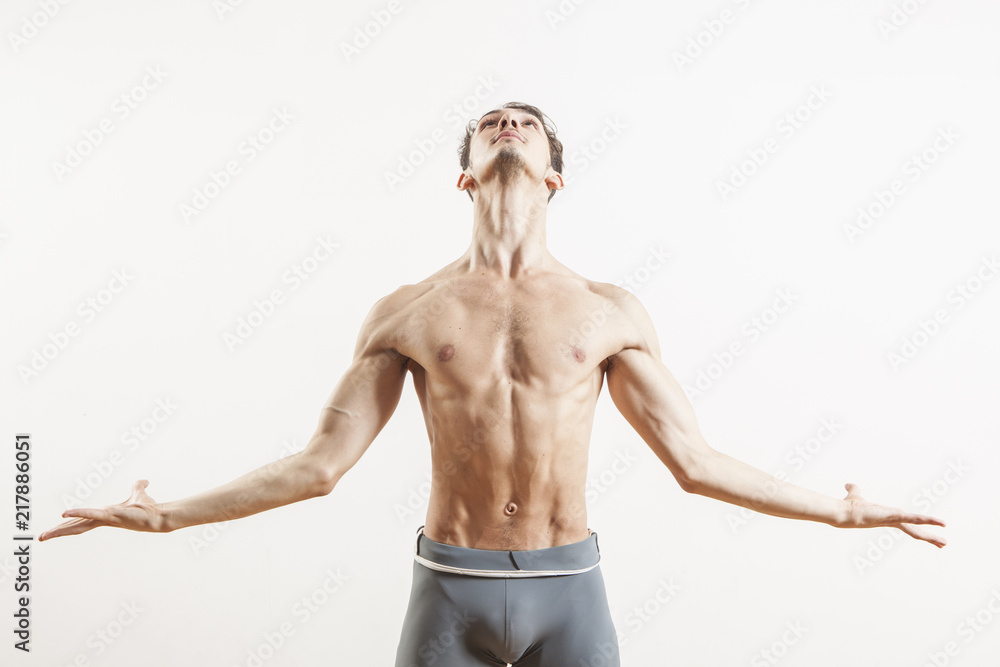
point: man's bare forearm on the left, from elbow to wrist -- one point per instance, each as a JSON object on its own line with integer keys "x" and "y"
{"x": 278, "y": 483}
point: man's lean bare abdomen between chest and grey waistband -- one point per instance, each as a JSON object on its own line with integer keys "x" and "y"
{"x": 512, "y": 477}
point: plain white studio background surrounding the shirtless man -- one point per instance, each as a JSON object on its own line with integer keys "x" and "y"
{"x": 672, "y": 132}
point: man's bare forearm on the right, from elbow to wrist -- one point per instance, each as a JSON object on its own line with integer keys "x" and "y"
{"x": 722, "y": 477}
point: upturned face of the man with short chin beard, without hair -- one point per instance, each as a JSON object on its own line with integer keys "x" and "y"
{"x": 506, "y": 144}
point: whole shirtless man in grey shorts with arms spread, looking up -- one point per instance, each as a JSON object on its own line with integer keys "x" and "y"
{"x": 508, "y": 350}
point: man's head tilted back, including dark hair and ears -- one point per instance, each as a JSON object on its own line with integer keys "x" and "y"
{"x": 535, "y": 146}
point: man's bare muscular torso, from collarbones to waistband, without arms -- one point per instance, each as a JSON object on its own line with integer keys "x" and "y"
{"x": 508, "y": 373}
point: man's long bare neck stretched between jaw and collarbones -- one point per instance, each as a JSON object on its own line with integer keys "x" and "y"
{"x": 508, "y": 234}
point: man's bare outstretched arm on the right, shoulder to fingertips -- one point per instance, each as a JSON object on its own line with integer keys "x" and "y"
{"x": 655, "y": 405}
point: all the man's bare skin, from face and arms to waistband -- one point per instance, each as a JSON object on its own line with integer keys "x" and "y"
{"x": 508, "y": 350}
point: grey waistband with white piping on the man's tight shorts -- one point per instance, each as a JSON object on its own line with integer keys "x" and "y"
{"x": 565, "y": 559}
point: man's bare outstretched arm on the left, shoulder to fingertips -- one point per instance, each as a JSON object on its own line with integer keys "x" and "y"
{"x": 357, "y": 410}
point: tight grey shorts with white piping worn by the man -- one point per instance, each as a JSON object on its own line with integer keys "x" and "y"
{"x": 538, "y": 608}
